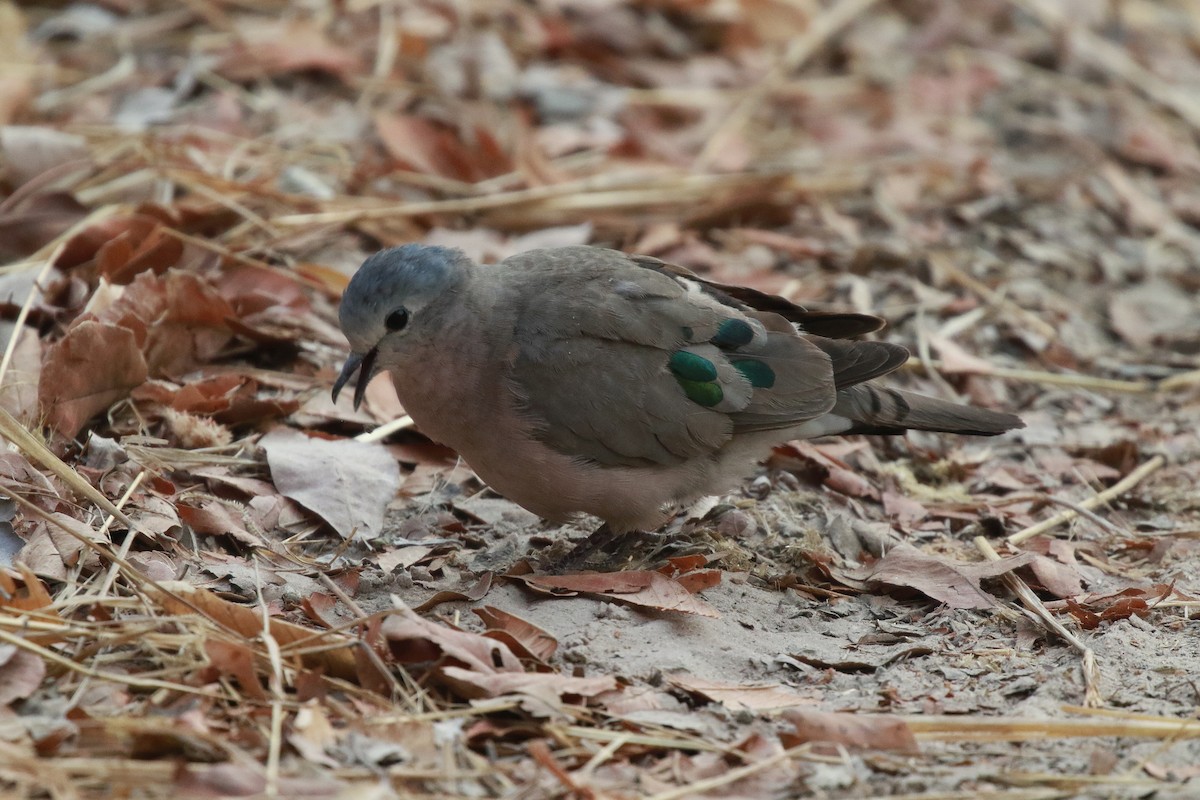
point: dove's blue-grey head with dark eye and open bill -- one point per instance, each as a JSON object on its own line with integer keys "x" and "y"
{"x": 388, "y": 303}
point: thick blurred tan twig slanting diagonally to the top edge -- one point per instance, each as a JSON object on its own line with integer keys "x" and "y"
{"x": 823, "y": 28}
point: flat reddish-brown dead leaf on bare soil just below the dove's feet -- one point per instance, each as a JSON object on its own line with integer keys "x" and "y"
{"x": 640, "y": 588}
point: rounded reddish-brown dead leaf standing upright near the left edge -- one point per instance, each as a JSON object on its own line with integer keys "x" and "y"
{"x": 94, "y": 366}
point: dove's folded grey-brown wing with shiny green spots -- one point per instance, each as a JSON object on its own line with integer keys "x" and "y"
{"x": 628, "y": 365}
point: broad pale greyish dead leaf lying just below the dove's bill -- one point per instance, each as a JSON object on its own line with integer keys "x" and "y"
{"x": 347, "y": 484}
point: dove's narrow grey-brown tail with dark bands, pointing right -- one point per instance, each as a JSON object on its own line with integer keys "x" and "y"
{"x": 872, "y": 410}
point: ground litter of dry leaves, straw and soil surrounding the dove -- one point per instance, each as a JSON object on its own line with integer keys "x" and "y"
{"x": 208, "y": 586}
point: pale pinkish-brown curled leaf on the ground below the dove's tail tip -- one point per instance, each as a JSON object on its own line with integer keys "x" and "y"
{"x": 953, "y": 584}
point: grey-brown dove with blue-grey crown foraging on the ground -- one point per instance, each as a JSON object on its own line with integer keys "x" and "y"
{"x": 583, "y": 380}
